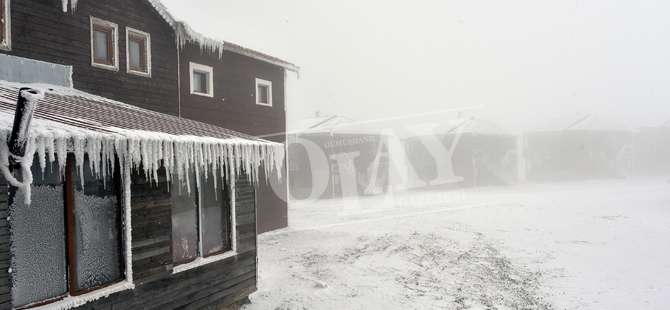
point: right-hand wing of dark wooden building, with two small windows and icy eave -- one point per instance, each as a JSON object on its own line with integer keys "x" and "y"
{"x": 227, "y": 85}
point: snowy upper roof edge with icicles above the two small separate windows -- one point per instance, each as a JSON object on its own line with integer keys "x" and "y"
{"x": 186, "y": 34}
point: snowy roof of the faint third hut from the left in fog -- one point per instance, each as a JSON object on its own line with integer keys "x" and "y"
{"x": 586, "y": 122}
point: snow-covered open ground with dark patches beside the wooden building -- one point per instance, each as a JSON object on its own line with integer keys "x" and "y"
{"x": 601, "y": 244}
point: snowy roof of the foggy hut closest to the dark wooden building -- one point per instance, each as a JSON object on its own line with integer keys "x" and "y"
{"x": 331, "y": 124}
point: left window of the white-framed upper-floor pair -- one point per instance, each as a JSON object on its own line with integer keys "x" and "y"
{"x": 104, "y": 46}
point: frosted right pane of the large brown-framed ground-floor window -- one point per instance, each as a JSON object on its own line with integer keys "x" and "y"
{"x": 96, "y": 228}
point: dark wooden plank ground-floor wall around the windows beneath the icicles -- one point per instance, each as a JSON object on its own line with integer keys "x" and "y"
{"x": 211, "y": 286}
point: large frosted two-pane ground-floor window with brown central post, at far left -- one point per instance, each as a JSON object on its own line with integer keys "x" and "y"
{"x": 68, "y": 250}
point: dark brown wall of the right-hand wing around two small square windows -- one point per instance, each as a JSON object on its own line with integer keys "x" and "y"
{"x": 234, "y": 107}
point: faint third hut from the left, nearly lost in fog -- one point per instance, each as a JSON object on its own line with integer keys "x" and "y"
{"x": 577, "y": 147}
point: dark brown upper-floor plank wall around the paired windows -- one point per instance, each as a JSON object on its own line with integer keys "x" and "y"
{"x": 42, "y": 31}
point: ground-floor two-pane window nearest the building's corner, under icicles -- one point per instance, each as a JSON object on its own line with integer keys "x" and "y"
{"x": 201, "y": 219}
